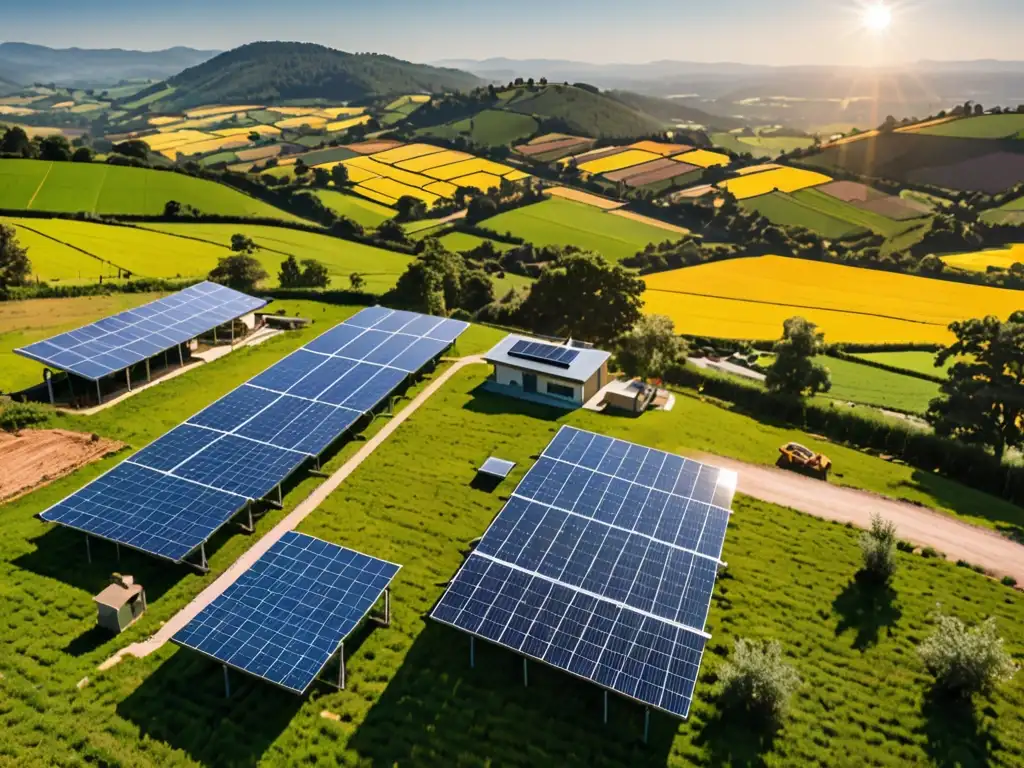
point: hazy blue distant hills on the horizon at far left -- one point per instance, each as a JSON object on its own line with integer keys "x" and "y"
{"x": 28, "y": 64}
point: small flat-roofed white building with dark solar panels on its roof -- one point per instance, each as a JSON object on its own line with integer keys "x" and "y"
{"x": 542, "y": 372}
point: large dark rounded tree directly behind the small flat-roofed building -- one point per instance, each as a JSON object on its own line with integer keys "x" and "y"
{"x": 584, "y": 296}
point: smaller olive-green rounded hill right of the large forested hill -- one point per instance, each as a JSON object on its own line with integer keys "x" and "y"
{"x": 585, "y": 112}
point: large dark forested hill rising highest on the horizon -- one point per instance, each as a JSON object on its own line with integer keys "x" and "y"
{"x": 274, "y": 72}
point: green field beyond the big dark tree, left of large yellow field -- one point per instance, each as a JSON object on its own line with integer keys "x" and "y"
{"x": 564, "y": 223}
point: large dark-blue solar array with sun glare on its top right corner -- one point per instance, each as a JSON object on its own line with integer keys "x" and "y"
{"x": 603, "y": 564}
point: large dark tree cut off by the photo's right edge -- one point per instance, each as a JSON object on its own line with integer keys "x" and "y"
{"x": 983, "y": 402}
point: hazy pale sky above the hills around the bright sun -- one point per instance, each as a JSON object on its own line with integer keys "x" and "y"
{"x": 784, "y": 32}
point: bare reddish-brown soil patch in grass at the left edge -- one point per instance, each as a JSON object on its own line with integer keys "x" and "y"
{"x": 36, "y": 457}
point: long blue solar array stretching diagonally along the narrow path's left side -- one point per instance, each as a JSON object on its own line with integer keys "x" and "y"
{"x": 170, "y": 497}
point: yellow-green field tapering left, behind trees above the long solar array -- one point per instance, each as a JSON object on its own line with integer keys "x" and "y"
{"x": 379, "y": 268}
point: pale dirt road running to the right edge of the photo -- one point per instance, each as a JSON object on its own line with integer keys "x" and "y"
{"x": 960, "y": 541}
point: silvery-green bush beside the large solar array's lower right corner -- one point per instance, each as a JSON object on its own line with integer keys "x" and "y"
{"x": 757, "y": 679}
